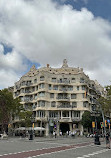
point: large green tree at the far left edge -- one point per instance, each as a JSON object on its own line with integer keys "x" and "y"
{"x": 9, "y": 107}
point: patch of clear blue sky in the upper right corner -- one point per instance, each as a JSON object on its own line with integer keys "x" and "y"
{"x": 100, "y": 8}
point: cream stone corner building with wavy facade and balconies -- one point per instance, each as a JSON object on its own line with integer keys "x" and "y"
{"x": 57, "y": 96}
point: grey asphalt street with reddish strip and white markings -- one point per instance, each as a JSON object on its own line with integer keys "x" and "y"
{"x": 79, "y": 147}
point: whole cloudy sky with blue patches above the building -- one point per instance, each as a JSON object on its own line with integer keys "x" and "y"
{"x": 40, "y": 32}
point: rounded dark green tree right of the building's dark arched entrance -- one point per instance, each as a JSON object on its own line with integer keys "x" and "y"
{"x": 86, "y": 119}
